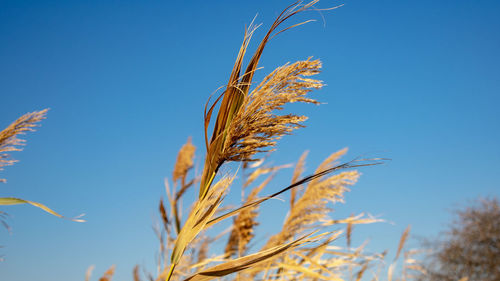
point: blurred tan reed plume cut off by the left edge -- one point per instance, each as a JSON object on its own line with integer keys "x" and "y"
{"x": 9, "y": 140}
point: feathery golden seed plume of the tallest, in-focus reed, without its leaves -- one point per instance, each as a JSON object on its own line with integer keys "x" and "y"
{"x": 255, "y": 128}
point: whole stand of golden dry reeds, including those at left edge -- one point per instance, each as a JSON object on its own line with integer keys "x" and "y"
{"x": 247, "y": 123}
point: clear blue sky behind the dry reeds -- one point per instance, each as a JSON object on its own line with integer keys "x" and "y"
{"x": 126, "y": 81}
